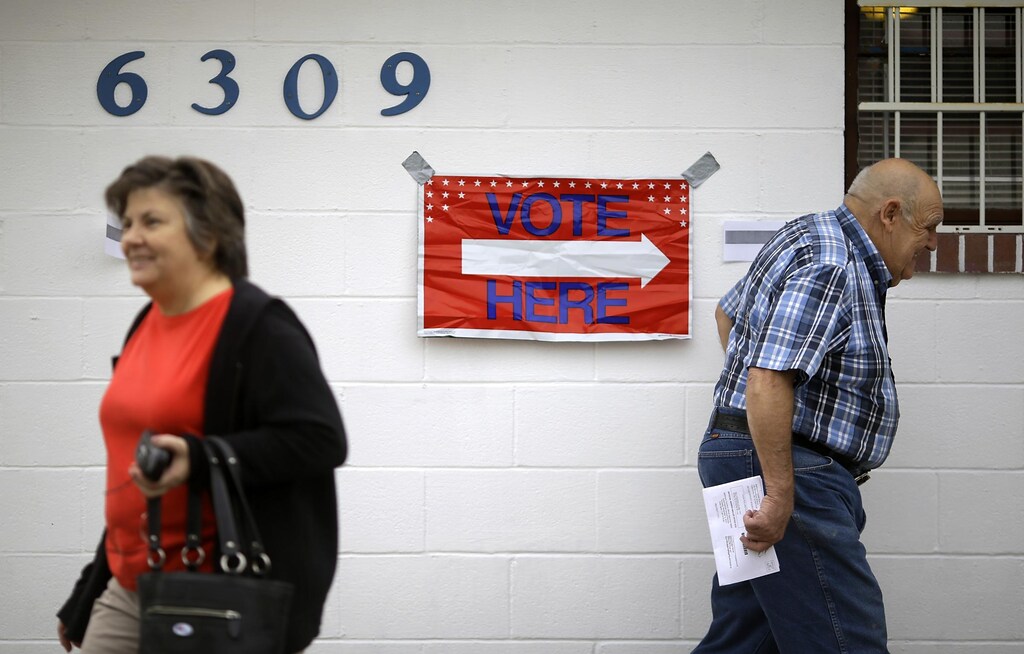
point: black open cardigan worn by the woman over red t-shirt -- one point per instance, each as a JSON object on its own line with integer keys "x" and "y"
{"x": 268, "y": 397}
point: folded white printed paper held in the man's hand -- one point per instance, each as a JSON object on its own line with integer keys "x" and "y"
{"x": 727, "y": 505}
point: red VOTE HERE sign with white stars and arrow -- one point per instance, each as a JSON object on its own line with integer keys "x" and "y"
{"x": 556, "y": 258}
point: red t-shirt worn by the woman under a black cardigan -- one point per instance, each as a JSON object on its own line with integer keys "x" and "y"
{"x": 159, "y": 384}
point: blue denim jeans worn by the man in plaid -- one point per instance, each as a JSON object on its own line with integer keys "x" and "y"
{"x": 825, "y": 599}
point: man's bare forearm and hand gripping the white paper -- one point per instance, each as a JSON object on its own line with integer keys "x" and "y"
{"x": 770, "y": 412}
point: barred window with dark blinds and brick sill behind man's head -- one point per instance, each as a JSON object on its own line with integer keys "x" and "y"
{"x": 942, "y": 83}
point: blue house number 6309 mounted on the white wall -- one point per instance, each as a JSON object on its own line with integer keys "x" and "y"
{"x": 415, "y": 91}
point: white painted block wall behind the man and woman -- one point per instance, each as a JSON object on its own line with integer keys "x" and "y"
{"x": 501, "y": 498}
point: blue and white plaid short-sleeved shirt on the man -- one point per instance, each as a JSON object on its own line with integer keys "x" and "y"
{"x": 814, "y": 301}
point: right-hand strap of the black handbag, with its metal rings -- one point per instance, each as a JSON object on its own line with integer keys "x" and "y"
{"x": 230, "y": 501}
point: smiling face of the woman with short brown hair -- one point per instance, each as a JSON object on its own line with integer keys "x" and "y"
{"x": 161, "y": 258}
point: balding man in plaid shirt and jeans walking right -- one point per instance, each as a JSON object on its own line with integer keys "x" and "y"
{"x": 807, "y": 401}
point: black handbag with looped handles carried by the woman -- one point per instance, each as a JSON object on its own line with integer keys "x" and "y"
{"x": 236, "y": 611}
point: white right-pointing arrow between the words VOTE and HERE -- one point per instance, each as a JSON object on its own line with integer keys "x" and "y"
{"x": 564, "y": 258}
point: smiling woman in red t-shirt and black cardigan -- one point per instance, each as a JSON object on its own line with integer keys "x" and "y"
{"x": 210, "y": 355}
